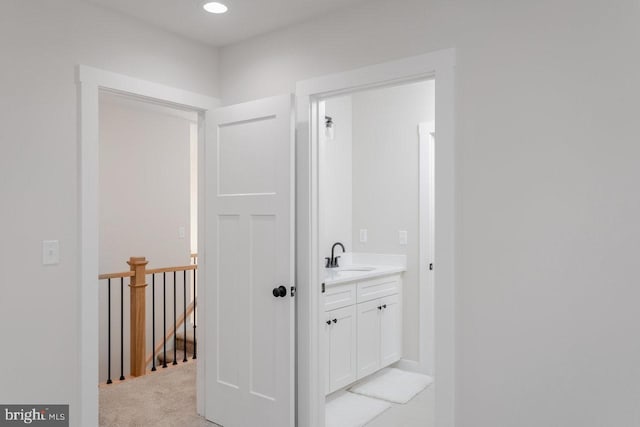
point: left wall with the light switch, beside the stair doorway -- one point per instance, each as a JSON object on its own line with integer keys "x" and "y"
{"x": 41, "y": 43}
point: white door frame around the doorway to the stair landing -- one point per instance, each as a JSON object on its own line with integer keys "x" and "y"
{"x": 90, "y": 81}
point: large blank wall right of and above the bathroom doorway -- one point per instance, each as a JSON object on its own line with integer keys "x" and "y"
{"x": 547, "y": 173}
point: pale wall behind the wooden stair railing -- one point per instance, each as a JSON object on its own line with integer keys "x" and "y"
{"x": 144, "y": 200}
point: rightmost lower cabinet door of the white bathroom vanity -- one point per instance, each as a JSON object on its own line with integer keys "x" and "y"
{"x": 391, "y": 330}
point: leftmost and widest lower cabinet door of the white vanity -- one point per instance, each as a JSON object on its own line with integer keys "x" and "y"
{"x": 342, "y": 347}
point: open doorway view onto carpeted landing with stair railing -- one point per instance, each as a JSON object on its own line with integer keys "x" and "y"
{"x": 148, "y": 213}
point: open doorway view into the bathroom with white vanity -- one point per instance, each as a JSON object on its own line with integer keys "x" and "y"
{"x": 378, "y": 303}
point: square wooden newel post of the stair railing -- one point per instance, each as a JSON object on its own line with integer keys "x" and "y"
{"x": 138, "y": 315}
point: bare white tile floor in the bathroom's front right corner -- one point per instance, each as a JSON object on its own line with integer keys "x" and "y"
{"x": 418, "y": 412}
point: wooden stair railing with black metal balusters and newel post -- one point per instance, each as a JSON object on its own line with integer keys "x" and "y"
{"x": 139, "y": 360}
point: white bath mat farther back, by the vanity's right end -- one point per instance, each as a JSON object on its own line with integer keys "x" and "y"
{"x": 393, "y": 385}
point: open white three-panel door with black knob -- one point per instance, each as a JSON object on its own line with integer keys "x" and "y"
{"x": 249, "y": 264}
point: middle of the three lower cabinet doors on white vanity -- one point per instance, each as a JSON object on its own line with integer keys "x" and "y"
{"x": 368, "y": 337}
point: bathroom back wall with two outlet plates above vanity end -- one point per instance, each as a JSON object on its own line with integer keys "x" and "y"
{"x": 386, "y": 171}
